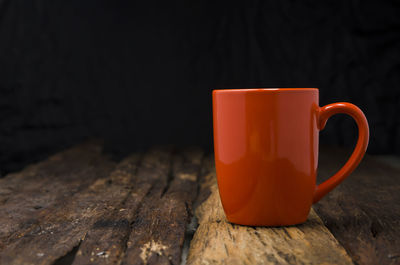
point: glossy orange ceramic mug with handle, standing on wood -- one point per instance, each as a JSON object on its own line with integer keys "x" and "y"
{"x": 266, "y": 152}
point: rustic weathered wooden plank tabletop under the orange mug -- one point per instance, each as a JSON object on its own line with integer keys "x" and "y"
{"x": 162, "y": 207}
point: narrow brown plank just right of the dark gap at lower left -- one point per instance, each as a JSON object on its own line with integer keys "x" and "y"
{"x": 105, "y": 241}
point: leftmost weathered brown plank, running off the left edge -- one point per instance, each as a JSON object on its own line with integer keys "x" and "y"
{"x": 28, "y": 194}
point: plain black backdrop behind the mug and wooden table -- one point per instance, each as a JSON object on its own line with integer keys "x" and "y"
{"x": 141, "y": 73}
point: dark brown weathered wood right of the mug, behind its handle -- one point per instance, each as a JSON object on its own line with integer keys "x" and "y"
{"x": 363, "y": 213}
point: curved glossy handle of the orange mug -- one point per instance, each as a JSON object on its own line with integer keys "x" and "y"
{"x": 324, "y": 113}
